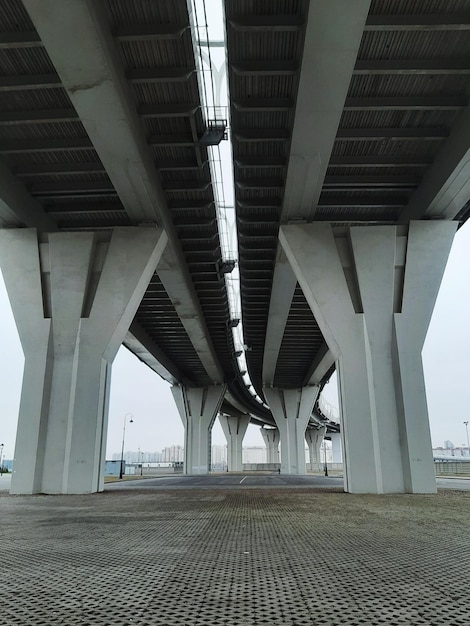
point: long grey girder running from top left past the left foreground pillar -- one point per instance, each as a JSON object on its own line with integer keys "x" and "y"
{"x": 91, "y": 73}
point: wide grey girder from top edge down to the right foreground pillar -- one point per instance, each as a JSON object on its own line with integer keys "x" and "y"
{"x": 328, "y": 52}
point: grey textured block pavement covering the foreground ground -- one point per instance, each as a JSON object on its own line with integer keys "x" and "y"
{"x": 241, "y": 557}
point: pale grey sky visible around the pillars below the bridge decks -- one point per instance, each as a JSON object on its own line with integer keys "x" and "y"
{"x": 136, "y": 389}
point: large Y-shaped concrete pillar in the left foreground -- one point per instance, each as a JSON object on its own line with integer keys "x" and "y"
{"x": 73, "y": 296}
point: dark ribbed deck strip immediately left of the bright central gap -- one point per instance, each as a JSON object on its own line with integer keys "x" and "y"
{"x": 183, "y": 187}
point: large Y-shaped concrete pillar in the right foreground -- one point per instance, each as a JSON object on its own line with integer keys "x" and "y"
{"x": 372, "y": 291}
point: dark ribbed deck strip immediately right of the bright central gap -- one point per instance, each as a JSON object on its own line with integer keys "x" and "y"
{"x": 258, "y": 79}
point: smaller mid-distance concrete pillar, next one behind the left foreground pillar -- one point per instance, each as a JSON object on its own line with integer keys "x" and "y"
{"x": 198, "y": 408}
